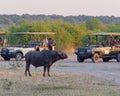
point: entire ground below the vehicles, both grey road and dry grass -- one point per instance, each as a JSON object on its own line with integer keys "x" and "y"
{"x": 69, "y": 78}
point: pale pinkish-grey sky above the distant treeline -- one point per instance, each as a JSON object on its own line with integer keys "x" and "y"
{"x": 61, "y": 7}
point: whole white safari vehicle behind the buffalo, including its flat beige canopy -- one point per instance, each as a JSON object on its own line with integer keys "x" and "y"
{"x": 18, "y": 52}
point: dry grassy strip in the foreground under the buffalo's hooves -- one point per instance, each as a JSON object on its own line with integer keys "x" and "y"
{"x": 14, "y": 83}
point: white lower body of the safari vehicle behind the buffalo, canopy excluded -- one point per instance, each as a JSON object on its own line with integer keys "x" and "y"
{"x": 17, "y": 52}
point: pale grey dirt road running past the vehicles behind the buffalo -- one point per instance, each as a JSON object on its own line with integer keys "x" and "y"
{"x": 107, "y": 70}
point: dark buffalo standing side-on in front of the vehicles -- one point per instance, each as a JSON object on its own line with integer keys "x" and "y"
{"x": 43, "y": 58}
